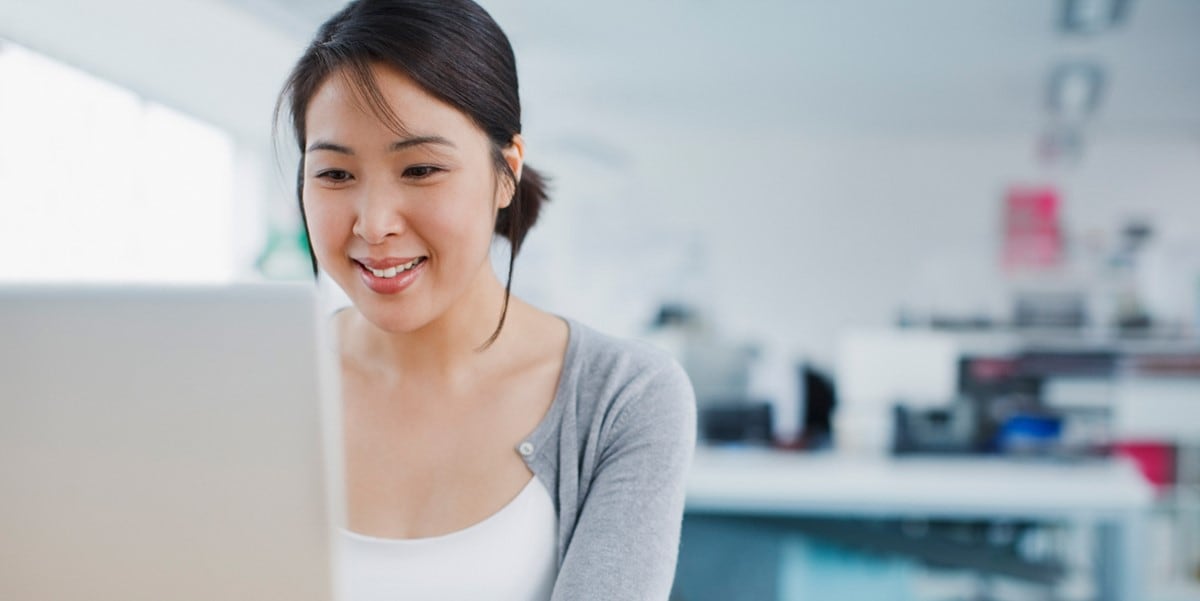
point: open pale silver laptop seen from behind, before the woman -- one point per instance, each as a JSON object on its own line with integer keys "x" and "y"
{"x": 167, "y": 443}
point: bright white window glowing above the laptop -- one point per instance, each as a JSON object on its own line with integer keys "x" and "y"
{"x": 99, "y": 185}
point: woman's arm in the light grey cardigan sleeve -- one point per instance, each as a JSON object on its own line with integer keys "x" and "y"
{"x": 627, "y": 538}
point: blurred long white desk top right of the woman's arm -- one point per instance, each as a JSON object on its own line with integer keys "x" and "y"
{"x": 836, "y": 485}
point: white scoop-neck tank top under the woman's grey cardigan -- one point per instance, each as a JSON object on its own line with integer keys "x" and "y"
{"x": 511, "y": 556}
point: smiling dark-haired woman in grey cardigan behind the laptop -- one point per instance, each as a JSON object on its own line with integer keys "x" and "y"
{"x": 494, "y": 450}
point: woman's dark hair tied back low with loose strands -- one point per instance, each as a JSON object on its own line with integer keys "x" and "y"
{"x": 453, "y": 50}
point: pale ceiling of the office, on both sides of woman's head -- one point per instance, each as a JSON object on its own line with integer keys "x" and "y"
{"x": 622, "y": 73}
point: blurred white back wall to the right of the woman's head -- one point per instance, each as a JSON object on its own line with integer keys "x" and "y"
{"x": 793, "y": 239}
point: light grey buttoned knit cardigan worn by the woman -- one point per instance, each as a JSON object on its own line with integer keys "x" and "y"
{"x": 614, "y": 452}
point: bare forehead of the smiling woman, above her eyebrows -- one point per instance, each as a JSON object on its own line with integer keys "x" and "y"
{"x": 343, "y": 110}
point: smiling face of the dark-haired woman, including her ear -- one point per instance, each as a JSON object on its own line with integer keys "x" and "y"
{"x": 403, "y": 223}
